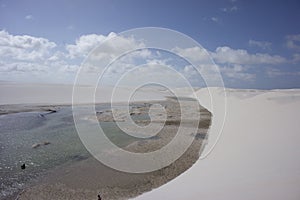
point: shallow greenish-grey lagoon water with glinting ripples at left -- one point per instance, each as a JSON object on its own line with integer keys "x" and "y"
{"x": 20, "y": 131}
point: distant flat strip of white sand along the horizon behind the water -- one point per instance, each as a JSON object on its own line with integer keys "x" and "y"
{"x": 47, "y": 94}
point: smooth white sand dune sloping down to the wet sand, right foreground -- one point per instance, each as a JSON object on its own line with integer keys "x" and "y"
{"x": 257, "y": 156}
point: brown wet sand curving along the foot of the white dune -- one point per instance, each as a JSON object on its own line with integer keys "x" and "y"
{"x": 88, "y": 177}
